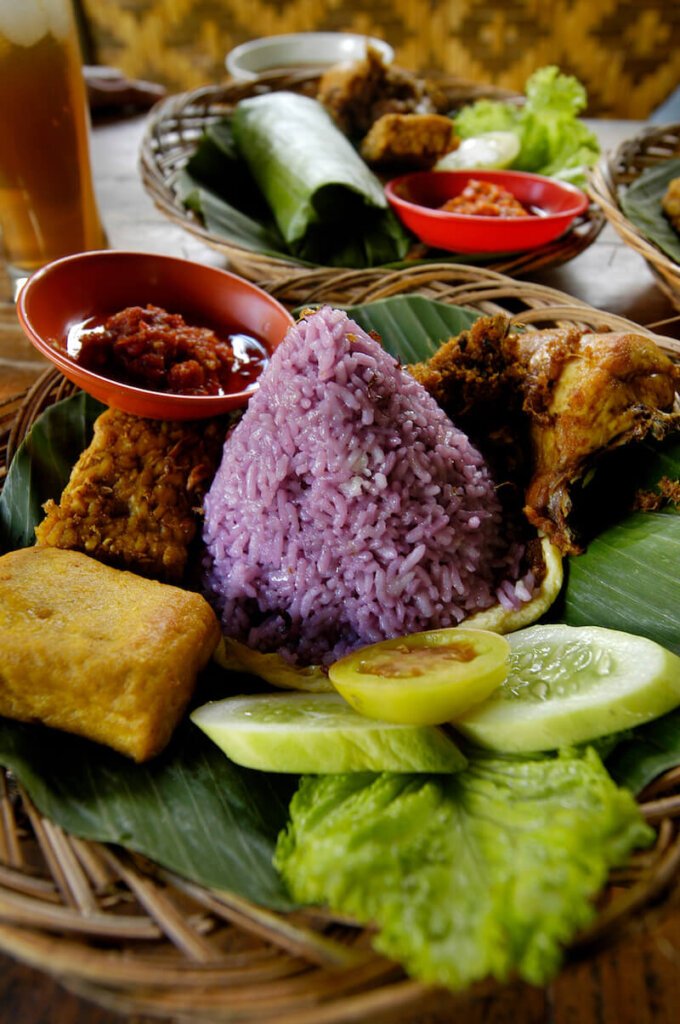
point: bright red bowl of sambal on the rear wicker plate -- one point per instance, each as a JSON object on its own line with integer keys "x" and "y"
{"x": 416, "y": 199}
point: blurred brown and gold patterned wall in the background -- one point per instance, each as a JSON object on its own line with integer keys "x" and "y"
{"x": 627, "y": 53}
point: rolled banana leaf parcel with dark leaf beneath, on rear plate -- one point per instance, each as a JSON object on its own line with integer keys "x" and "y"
{"x": 280, "y": 179}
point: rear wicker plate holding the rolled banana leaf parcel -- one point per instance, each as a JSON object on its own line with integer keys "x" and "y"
{"x": 176, "y": 125}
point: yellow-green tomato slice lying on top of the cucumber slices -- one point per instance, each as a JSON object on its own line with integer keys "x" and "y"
{"x": 426, "y": 678}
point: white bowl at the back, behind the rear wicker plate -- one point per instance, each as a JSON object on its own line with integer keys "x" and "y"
{"x": 301, "y": 50}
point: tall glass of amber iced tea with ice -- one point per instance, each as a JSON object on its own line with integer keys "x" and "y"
{"x": 48, "y": 203}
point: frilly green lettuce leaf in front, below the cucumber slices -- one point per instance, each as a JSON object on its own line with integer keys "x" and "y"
{"x": 488, "y": 873}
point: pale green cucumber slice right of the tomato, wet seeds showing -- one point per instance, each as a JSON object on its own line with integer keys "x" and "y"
{"x": 572, "y": 685}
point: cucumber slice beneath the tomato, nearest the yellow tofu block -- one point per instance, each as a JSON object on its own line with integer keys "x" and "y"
{"x": 320, "y": 734}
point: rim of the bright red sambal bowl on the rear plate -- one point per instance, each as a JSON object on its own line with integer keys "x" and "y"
{"x": 580, "y": 205}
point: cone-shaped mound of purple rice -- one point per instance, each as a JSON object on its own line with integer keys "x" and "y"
{"x": 348, "y": 507}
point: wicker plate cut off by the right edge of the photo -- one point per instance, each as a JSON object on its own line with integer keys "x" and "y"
{"x": 618, "y": 170}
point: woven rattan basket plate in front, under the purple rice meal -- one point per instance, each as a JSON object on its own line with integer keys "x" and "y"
{"x": 133, "y": 937}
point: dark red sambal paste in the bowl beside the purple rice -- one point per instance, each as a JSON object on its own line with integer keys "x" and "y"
{"x": 149, "y": 348}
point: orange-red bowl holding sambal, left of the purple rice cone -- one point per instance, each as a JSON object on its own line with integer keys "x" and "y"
{"x": 71, "y": 291}
